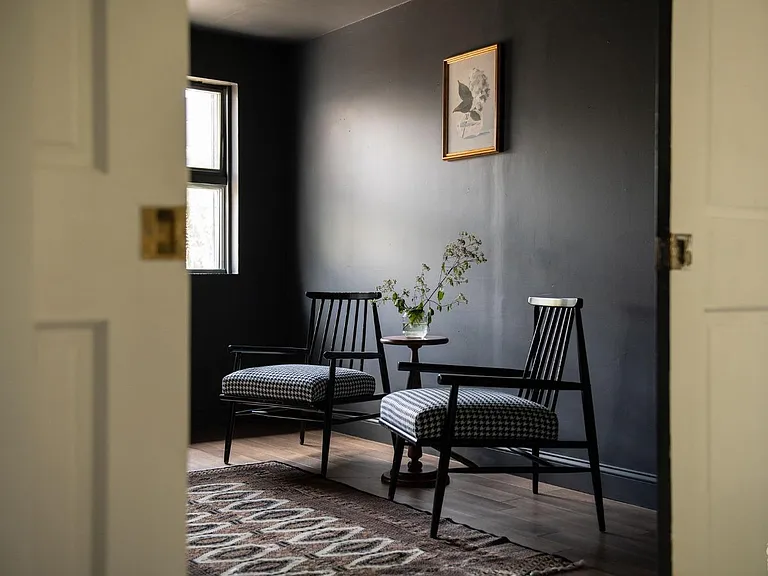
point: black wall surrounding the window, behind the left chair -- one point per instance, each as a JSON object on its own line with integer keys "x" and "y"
{"x": 258, "y": 305}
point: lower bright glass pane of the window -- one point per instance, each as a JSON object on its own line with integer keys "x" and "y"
{"x": 205, "y": 227}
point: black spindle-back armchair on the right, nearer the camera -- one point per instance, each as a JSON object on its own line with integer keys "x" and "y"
{"x": 481, "y": 416}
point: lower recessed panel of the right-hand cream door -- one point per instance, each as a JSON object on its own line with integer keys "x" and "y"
{"x": 738, "y": 460}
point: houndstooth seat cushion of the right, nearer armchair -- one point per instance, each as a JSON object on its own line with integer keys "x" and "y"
{"x": 481, "y": 413}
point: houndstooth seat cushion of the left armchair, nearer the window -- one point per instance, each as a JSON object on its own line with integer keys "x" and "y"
{"x": 296, "y": 382}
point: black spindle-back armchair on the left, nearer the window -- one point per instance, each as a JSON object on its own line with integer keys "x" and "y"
{"x": 329, "y": 373}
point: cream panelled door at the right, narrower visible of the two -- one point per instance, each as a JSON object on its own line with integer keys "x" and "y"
{"x": 719, "y": 308}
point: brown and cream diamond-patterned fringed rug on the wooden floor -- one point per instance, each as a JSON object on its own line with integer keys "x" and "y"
{"x": 270, "y": 518}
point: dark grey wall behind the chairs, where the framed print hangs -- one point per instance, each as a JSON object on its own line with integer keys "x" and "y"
{"x": 567, "y": 209}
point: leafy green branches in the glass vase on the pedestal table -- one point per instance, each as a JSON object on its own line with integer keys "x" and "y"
{"x": 421, "y": 302}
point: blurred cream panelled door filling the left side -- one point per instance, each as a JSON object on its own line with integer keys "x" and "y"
{"x": 94, "y": 340}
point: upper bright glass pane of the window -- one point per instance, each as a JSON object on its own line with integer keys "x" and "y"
{"x": 203, "y": 129}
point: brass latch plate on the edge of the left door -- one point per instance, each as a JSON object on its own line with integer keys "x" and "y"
{"x": 163, "y": 233}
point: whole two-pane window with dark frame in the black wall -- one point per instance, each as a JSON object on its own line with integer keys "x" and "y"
{"x": 210, "y": 190}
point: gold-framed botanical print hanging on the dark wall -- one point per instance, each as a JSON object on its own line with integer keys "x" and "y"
{"x": 471, "y": 103}
